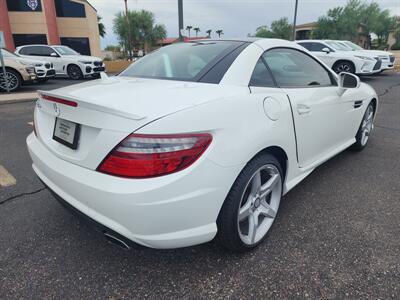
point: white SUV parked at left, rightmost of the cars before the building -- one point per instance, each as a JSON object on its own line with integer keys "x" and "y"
{"x": 65, "y": 60}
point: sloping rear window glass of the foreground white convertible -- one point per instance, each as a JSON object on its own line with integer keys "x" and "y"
{"x": 181, "y": 61}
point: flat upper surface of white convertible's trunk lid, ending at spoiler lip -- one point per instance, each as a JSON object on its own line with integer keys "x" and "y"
{"x": 138, "y": 98}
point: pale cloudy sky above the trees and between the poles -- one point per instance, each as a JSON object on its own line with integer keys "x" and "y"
{"x": 236, "y": 17}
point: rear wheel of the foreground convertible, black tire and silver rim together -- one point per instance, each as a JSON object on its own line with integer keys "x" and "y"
{"x": 251, "y": 205}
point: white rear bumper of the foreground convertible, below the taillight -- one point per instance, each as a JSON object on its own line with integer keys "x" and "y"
{"x": 172, "y": 211}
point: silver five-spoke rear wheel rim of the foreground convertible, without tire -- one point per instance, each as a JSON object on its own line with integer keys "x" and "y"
{"x": 259, "y": 204}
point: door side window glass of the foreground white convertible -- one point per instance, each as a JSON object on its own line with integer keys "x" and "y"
{"x": 293, "y": 68}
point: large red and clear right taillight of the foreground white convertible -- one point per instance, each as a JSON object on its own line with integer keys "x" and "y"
{"x": 144, "y": 156}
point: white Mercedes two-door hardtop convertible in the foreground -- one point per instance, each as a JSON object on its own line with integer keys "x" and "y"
{"x": 197, "y": 140}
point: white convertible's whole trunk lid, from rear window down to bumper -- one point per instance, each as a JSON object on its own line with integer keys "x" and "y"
{"x": 108, "y": 110}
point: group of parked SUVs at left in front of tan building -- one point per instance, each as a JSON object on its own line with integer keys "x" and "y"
{"x": 39, "y": 63}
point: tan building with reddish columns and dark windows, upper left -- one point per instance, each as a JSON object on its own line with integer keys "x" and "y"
{"x": 55, "y": 22}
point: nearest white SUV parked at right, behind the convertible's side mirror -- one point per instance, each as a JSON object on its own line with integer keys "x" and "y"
{"x": 340, "y": 59}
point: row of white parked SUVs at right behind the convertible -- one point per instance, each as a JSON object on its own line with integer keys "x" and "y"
{"x": 345, "y": 56}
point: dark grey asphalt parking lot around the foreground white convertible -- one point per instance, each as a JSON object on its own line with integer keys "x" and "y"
{"x": 336, "y": 235}
